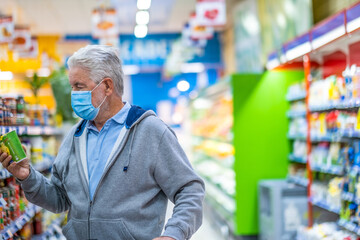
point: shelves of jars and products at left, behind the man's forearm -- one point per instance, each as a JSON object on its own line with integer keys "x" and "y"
{"x": 33, "y": 125}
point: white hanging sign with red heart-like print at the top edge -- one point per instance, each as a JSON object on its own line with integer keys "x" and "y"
{"x": 211, "y": 12}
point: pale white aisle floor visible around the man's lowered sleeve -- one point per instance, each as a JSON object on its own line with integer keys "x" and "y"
{"x": 206, "y": 231}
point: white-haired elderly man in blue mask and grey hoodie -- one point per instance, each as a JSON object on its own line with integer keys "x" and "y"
{"x": 117, "y": 168}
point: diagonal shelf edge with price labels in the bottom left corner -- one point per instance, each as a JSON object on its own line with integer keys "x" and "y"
{"x": 19, "y": 223}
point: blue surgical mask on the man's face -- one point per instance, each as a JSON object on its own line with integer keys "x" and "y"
{"x": 82, "y": 105}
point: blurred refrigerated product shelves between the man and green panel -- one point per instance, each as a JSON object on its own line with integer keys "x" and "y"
{"x": 213, "y": 150}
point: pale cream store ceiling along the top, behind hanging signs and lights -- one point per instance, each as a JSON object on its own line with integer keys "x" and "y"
{"x": 74, "y": 16}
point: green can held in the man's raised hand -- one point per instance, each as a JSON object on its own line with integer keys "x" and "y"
{"x": 12, "y": 142}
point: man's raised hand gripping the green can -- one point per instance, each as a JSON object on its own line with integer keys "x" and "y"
{"x": 19, "y": 170}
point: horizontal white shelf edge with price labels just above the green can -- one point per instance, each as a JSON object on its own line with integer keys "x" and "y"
{"x": 30, "y": 130}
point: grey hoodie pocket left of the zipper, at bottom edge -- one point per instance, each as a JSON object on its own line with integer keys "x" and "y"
{"x": 75, "y": 229}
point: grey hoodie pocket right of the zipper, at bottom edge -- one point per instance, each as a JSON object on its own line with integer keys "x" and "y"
{"x": 110, "y": 230}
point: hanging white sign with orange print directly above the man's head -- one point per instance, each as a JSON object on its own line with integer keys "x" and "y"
{"x": 104, "y": 23}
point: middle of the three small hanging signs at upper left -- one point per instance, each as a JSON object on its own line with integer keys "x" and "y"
{"x": 21, "y": 39}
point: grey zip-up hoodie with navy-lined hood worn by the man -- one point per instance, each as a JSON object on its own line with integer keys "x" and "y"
{"x": 147, "y": 168}
